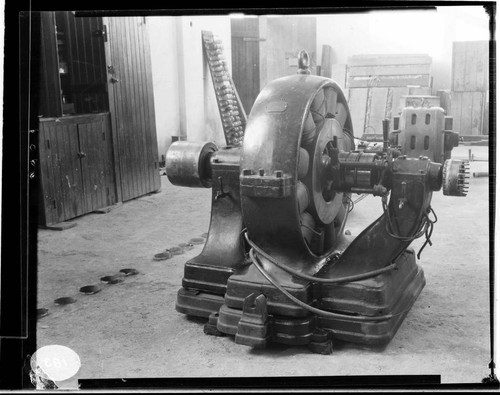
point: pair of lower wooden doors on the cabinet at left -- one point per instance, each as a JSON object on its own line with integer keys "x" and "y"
{"x": 76, "y": 166}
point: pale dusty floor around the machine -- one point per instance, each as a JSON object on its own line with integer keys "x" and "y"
{"x": 131, "y": 329}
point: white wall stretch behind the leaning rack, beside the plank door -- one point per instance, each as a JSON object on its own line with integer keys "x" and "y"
{"x": 185, "y": 104}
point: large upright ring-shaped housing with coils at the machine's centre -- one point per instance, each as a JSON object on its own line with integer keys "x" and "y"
{"x": 293, "y": 123}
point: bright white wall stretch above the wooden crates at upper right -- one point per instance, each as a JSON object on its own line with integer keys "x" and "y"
{"x": 429, "y": 32}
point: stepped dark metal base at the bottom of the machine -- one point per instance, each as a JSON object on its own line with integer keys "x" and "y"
{"x": 390, "y": 294}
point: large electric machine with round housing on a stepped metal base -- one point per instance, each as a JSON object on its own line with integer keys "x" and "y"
{"x": 277, "y": 265}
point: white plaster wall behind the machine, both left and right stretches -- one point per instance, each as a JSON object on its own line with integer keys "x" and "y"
{"x": 184, "y": 97}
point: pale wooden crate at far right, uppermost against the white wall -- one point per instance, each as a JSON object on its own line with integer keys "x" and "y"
{"x": 470, "y": 66}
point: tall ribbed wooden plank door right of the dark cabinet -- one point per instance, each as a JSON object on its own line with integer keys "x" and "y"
{"x": 131, "y": 106}
